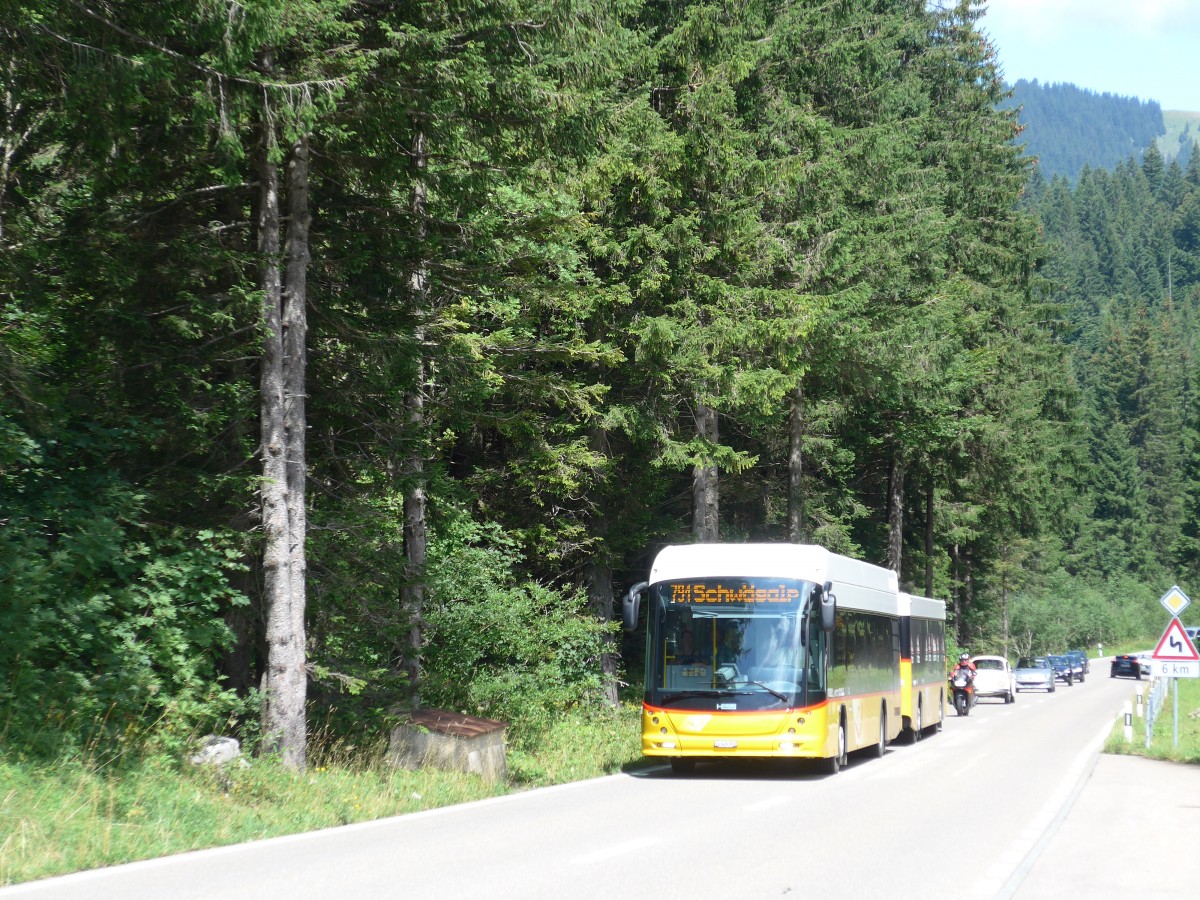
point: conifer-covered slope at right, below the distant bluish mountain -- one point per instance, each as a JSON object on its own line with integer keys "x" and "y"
{"x": 1124, "y": 267}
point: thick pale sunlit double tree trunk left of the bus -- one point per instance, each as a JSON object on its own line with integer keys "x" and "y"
{"x": 283, "y": 388}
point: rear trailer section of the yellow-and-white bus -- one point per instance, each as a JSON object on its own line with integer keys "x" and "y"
{"x": 922, "y": 664}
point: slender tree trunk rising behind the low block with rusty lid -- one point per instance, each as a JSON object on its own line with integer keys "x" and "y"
{"x": 416, "y": 538}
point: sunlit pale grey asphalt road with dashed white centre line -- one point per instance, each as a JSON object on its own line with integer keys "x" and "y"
{"x": 1010, "y": 802}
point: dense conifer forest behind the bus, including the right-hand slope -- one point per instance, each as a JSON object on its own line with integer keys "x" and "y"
{"x": 356, "y": 356}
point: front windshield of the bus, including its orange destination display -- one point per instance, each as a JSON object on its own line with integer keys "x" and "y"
{"x": 730, "y": 644}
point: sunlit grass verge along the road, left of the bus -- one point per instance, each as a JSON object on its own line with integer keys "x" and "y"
{"x": 70, "y": 815}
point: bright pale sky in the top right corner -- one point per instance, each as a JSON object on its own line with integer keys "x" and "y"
{"x": 1135, "y": 49}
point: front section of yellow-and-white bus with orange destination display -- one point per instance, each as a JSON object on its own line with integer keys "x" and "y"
{"x": 770, "y": 651}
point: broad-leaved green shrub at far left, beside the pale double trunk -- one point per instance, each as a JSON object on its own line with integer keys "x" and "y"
{"x": 106, "y": 621}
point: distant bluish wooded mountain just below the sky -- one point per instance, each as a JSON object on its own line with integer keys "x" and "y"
{"x": 1069, "y": 128}
